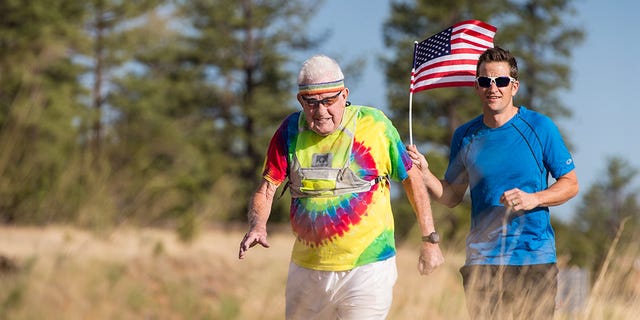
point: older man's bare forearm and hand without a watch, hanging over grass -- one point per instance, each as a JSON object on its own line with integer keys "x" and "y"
{"x": 259, "y": 211}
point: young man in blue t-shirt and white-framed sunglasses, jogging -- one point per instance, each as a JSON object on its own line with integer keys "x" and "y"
{"x": 505, "y": 156}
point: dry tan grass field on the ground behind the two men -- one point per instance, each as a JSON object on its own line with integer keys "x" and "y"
{"x": 64, "y": 273}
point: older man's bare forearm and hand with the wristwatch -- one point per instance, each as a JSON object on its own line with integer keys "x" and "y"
{"x": 430, "y": 254}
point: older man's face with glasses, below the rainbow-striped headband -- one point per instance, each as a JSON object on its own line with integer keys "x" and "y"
{"x": 323, "y": 112}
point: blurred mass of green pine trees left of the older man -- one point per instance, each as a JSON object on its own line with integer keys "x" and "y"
{"x": 148, "y": 112}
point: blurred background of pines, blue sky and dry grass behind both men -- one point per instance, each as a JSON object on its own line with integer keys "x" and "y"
{"x": 133, "y": 132}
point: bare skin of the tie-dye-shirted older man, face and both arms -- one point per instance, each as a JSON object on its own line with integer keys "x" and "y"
{"x": 323, "y": 120}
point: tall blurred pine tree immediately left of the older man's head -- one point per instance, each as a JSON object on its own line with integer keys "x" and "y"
{"x": 245, "y": 48}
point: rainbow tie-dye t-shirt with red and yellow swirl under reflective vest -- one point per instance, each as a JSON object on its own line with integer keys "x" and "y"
{"x": 336, "y": 233}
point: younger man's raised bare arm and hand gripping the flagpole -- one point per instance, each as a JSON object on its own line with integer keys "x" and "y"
{"x": 447, "y": 194}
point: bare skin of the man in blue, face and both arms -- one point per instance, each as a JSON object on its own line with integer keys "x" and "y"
{"x": 497, "y": 109}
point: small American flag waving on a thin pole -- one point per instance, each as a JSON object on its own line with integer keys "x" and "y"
{"x": 449, "y": 58}
